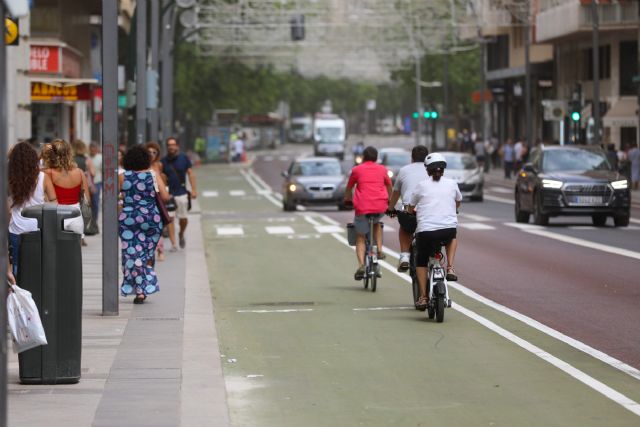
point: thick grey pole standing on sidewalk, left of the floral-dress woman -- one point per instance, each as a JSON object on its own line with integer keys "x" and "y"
{"x": 109, "y": 158}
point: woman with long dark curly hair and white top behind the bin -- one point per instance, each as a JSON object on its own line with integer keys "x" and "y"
{"x": 28, "y": 186}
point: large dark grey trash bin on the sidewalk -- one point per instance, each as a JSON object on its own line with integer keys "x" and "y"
{"x": 51, "y": 269}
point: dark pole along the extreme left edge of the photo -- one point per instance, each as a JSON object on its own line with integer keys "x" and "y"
{"x": 3, "y": 221}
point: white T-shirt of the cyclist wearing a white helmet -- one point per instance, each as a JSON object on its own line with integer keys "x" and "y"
{"x": 435, "y": 203}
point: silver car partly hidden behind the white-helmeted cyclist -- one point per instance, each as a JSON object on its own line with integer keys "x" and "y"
{"x": 463, "y": 168}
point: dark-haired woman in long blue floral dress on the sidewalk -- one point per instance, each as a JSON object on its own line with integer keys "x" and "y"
{"x": 140, "y": 226}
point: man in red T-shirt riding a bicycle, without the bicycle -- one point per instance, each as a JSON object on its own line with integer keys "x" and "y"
{"x": 372, "y": 191}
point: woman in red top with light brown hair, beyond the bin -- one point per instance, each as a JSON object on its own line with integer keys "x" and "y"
{"x": 68, "y": 181}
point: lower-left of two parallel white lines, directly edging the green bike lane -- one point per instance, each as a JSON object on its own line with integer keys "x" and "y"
{"x": 581, "y": 376}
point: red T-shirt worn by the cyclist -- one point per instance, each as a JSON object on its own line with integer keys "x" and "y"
{"x": 371, "y": 181}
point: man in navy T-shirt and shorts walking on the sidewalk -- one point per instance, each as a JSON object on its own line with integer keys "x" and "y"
{"x": 177, "y": 166}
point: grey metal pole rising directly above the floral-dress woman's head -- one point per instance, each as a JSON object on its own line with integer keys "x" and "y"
{"x": 141, "y": 70}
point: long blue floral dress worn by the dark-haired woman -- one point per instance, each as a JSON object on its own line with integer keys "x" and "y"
{"x": 140, "y": 231}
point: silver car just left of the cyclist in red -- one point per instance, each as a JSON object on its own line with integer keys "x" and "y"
{"x": 314, "y": 181}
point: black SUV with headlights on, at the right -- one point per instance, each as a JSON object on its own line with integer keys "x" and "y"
{"x": 571, "y": 180}
